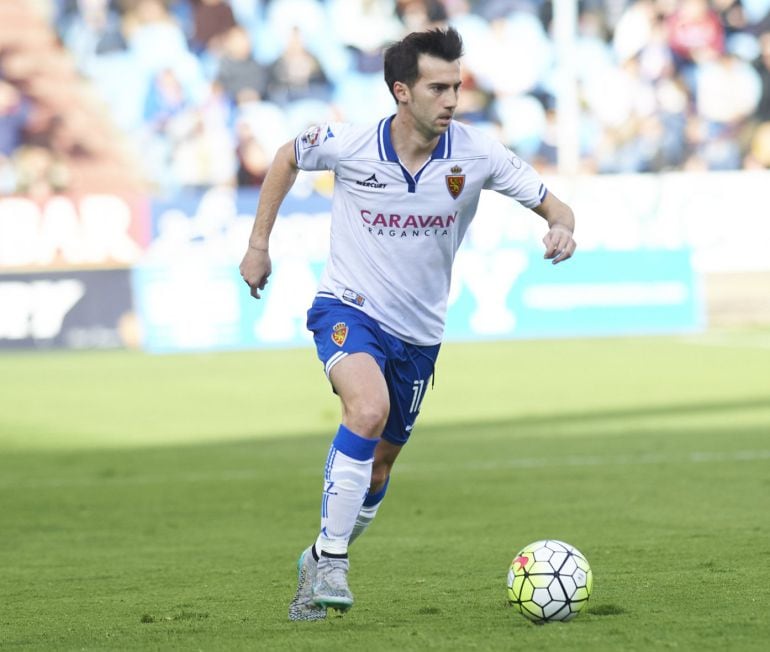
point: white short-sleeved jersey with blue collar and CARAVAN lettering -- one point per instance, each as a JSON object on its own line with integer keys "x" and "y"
{"x": 394, "y": 234}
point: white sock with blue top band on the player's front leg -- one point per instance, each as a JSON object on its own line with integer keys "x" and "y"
{"x": 346, "y": 482}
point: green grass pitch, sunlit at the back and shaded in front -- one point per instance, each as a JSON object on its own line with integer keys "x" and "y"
{"x": 159, "y": 503}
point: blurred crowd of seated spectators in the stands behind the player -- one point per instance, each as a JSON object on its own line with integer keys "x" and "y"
{"x": 206, "y": 90}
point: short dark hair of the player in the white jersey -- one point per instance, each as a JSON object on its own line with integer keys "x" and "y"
{"x": 401, "y": 57}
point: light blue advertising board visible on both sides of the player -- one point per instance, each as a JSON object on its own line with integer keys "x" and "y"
{"x": 511, "y": 294}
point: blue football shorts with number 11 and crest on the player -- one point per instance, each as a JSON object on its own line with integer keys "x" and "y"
{"x": 339, "y": 330}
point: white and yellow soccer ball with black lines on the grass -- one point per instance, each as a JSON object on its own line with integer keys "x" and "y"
{"x": 549, "y": 580}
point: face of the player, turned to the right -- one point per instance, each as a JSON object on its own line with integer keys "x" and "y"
{"x": 432, "y": 99}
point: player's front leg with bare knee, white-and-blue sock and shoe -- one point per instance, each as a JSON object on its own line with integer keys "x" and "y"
{"x": 363, "y": 392}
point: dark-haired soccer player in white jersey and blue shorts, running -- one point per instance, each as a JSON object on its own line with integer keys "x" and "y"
{"x": 405, "y": 191}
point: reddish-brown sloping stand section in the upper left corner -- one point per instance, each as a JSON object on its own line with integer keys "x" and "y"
{"x": 55, "y": 133}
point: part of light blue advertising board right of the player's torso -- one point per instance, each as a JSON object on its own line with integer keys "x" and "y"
{"x": 596, "y": 293}
